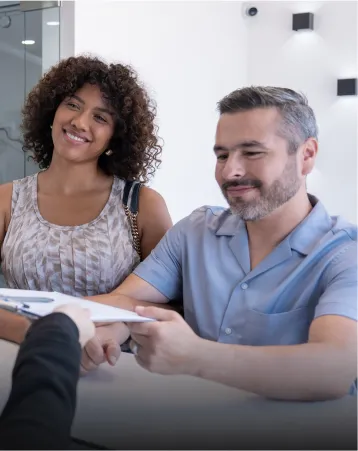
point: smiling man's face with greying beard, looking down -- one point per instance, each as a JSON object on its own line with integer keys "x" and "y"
{"x": 254, "y": 169}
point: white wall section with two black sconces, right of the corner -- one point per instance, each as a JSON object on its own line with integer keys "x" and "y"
{"x": 312, "y": 62}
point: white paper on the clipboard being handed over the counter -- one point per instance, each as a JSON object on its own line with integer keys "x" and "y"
{"x": 99, "y": 312}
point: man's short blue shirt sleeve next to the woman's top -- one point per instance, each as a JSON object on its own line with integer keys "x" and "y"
{"x": 163, "y": 267}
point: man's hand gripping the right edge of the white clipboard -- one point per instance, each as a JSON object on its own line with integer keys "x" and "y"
{"x": 166, "y": 346}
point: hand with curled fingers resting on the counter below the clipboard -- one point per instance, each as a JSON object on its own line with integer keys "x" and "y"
{"x": 104, "y": 347}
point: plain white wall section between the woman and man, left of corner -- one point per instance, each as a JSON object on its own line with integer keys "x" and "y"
{"x": 189, "y": 54}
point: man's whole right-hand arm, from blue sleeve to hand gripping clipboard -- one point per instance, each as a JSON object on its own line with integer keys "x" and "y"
{"x": 323, "y": 368}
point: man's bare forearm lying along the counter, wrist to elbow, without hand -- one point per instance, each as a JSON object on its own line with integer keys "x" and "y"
{"x": 306, "y": 372}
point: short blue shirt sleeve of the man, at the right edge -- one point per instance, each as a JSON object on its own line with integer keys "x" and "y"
{"x": 340, "y": 295}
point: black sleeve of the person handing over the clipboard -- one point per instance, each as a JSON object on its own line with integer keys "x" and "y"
{"x": 42, "y": 402}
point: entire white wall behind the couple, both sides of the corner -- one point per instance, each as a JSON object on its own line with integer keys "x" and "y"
{"x": 190, "y": 54}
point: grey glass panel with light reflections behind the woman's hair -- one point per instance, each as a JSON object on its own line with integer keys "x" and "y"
{"x": 29, "y": 46}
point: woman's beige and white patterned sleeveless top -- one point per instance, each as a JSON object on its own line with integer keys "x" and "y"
{"x": 83, "y": 260}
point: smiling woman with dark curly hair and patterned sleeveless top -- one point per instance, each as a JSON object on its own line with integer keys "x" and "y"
{"x": 74, "y": 227}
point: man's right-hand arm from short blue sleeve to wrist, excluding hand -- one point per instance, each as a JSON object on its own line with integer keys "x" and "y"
{"x": 323, "y": 368}
